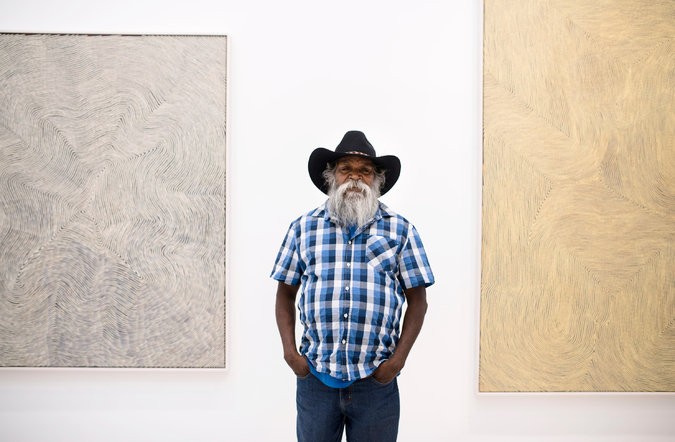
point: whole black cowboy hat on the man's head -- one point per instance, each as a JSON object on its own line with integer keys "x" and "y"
{"x": 353, "y": 143}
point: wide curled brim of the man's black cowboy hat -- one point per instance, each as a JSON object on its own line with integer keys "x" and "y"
{"x": 322, "y": 156}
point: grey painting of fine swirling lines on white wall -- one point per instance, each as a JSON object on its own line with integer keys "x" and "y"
{"x": 112, "y": 201}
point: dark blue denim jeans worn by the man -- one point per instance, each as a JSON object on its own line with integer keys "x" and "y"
{"x": 368, "y": 409}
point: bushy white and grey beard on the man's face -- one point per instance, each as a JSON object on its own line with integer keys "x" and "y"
{"x": 352, "y": 208}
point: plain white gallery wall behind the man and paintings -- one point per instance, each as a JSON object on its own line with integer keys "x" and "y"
{"x": 301, "y": 73}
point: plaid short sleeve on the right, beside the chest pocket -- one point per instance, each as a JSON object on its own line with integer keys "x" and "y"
{"x": 414, "y": 268}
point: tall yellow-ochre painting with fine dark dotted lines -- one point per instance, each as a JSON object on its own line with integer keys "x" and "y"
{"x": 578, "y": 243}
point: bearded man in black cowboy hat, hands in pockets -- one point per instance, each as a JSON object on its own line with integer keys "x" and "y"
{"x": 356, "y": 262}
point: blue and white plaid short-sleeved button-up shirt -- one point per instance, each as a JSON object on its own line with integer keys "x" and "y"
{"x": 352, "y": 287}
